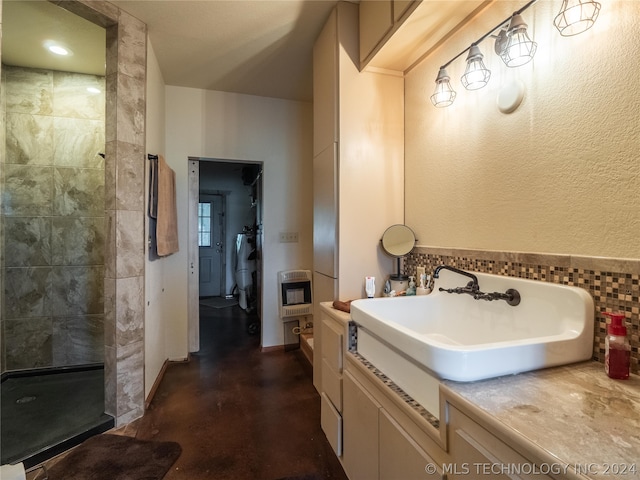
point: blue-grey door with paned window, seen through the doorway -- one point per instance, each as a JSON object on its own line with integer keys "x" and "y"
{"x": 210, "y": 244}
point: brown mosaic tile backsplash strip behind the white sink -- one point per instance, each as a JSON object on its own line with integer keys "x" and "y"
{"x": 614, "y": 285}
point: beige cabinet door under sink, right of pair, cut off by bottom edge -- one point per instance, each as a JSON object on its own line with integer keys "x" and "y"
{"x": 400, "y": 456}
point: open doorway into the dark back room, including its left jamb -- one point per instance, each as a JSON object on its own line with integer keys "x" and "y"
{"x": 225, "y": 229}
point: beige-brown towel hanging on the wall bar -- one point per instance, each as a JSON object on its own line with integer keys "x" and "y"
{"x": 167, "y": 228}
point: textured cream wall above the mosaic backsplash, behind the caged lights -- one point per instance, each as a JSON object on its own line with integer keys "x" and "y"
{"x": 559, "y": 175}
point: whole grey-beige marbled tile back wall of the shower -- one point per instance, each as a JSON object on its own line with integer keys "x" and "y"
{"x": 53, "y": 211}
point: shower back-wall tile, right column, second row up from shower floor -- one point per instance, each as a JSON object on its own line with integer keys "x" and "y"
{"x": 77, "y": 290}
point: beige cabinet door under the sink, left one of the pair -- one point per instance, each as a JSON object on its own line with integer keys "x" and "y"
{"x": 360, "y": 431}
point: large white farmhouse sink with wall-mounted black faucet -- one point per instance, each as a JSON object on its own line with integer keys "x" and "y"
{"x": 455, "y": 337}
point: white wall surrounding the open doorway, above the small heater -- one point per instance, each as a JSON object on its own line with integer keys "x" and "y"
{"x": 213, "y": 124}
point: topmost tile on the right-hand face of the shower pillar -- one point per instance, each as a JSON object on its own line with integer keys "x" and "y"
{"x": 132, "y": 50}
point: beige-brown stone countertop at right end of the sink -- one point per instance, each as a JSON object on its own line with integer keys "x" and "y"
{"x": 575, "y": 413}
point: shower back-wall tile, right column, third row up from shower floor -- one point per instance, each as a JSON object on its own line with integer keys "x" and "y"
{"x": 77, "y": 240}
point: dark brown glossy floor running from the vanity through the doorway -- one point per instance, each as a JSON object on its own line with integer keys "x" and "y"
{"x": 239, "y": 413}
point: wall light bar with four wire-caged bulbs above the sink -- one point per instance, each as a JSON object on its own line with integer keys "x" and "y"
{"x": 513, "y": 45}
